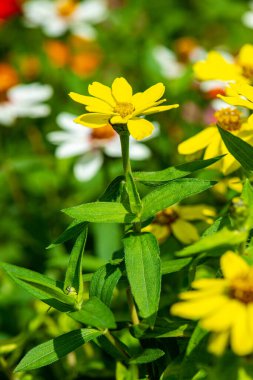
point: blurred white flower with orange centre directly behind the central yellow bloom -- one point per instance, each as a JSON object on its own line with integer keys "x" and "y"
{"x": 90, "y": 144}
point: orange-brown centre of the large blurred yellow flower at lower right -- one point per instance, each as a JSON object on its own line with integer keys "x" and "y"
{"x": 242, "y": 289}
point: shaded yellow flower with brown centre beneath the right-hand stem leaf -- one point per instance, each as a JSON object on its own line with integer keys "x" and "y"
{"x": 175, "y": 220}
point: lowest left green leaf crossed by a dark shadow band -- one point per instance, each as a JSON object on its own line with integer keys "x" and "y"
{"x": 54, "y": 349}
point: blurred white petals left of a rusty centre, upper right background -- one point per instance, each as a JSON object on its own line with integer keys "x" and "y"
{"x": 168, "y": 63}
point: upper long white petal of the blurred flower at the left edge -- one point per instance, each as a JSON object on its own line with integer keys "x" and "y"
{"x": 29, "y": 93}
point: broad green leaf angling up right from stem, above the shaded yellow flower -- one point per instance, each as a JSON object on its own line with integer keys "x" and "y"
{"x": 171, "y": 193}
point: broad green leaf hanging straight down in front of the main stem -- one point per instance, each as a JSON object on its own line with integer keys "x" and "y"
{"x": 143, "y": 268}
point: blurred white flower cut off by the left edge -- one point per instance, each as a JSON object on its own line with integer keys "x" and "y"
{"x": 25, "y": 100}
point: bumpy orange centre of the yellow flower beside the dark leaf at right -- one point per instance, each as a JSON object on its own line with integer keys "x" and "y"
{"x": 229, "y": 119}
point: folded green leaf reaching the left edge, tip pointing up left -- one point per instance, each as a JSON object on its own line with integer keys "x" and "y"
{"x": 40, "y": 286}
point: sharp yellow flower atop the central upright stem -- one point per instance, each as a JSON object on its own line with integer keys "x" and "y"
{"x": 117, "y": 105}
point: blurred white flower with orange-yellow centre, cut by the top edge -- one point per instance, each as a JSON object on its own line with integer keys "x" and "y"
{"x": 57, "y": 17}
